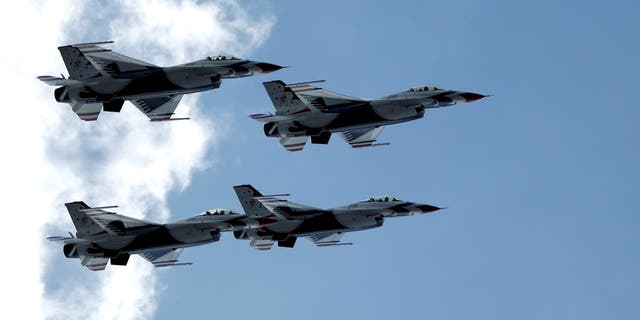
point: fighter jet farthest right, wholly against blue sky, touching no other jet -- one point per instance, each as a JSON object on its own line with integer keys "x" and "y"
{"x": 304, "y": 111}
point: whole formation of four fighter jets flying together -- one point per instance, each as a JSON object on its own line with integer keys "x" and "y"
{"x": 102, "y": 80}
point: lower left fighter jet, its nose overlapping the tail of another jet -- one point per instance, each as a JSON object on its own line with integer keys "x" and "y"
{"x": 103, "y": 236}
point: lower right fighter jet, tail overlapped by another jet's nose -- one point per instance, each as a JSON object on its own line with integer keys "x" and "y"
{"x": 324, "y": 227}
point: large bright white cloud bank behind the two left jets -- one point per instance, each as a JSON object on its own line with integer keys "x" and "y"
{"x": 51, "y": 157}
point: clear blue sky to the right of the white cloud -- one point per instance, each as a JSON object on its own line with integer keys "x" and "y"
{"x": 540, "y": 180}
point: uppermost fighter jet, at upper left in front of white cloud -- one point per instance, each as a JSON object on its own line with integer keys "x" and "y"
{"x": 100, "y": 79}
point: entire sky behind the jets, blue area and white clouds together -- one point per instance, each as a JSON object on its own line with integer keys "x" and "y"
{"x": 540, "y": 180}
